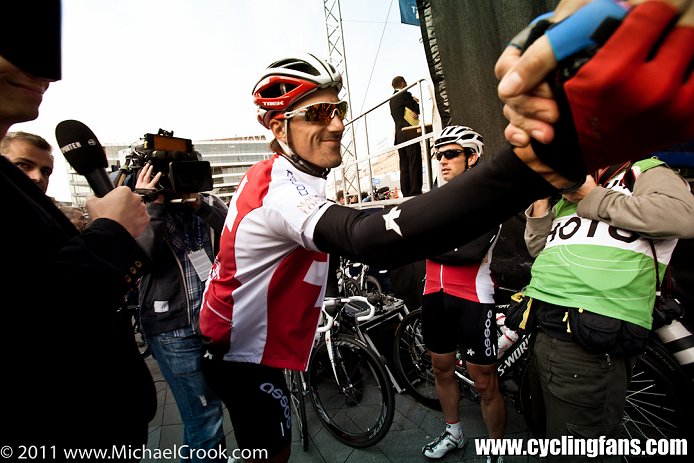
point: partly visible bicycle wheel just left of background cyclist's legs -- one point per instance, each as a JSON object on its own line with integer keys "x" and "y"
{"x": 413, "y": 362}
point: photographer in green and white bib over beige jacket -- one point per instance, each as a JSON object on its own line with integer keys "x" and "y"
{"x": 596, "y": 250}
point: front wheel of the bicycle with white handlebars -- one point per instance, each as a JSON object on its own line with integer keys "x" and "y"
{"x": 352, "y": 394}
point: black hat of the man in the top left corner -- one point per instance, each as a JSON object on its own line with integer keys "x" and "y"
{"x": 30, "y": 37}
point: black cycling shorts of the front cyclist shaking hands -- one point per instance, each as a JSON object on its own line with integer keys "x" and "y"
{"x": 257, "y": 399}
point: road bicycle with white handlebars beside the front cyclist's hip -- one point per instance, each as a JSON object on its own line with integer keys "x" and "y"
{"x": 347, "y": 379}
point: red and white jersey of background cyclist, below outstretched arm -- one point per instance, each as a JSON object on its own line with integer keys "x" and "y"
{"x": 472, "y": 282}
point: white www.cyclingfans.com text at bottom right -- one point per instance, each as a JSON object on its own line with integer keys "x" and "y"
{"x": 568, "y": 445}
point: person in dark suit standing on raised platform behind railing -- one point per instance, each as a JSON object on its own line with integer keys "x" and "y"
{"x": 410, "y": 156}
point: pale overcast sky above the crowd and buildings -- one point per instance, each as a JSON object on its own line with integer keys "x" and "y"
{"x": 133, "y": 66}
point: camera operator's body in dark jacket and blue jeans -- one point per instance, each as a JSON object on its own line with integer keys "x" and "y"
{"x": 185, "y": 230}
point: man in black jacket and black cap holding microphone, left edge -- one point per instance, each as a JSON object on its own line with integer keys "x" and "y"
{"x": 72, "y": 375}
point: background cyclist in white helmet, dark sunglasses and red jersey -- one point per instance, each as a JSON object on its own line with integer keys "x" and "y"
{"x": 458, "y": 308}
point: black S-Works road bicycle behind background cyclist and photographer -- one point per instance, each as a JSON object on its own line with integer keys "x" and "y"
{"x": 658, "y": 400}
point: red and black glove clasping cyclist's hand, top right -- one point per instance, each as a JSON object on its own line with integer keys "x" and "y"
{"x": 636, "y": 95}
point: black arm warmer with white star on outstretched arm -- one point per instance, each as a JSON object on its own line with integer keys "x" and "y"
{"x": 437, "y": 221}
